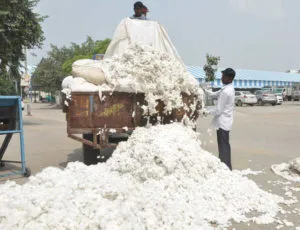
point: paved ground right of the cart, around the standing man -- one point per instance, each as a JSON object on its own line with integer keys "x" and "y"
{"x": 261, "y": 137}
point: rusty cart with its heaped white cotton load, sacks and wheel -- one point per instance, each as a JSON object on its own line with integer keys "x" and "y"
{"x": 140, "y": 81}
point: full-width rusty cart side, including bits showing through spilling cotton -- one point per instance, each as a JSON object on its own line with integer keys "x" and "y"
{"x": 87, "y": 112}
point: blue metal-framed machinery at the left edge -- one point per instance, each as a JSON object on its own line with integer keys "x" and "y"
{"x": 11, "y": 122}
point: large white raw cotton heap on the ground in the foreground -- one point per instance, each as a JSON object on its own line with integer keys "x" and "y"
{"x": 159, "y": 179}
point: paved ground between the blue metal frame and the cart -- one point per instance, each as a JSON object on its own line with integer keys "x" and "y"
{"x": 46, "y": 141}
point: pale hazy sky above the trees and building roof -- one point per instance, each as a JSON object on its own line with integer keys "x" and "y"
{"x": 246, "y": 34}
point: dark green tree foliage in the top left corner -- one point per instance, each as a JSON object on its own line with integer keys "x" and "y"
{"x": 19, "y": 28}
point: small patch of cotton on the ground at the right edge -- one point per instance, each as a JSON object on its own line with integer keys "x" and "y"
{"x": 289, "y": 171}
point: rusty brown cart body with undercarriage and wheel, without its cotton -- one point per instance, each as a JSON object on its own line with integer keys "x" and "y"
{"x": 100, "y": 124}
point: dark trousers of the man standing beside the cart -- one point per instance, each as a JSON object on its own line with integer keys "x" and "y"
{"x": 224, "y": 147}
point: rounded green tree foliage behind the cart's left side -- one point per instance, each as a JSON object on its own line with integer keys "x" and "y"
{"x": 51, "y": 70}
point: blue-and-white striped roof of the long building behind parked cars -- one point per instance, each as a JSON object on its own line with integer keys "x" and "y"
{"x": 243, "y": 74}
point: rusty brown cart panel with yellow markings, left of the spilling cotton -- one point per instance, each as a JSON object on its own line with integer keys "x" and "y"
{"x": 117, "y": 110}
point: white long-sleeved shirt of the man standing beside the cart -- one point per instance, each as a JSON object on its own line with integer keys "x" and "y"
{"x": 223, "y": 112}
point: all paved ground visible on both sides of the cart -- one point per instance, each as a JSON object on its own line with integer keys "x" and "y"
{"x": 261, "y": 136}
